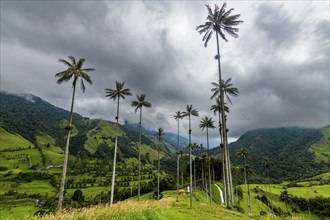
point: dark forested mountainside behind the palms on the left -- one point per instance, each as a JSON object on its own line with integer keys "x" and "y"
{"x": 34, "y": 119}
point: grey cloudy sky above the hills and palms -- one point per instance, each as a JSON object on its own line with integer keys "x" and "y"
{"x": 279, "y": 63}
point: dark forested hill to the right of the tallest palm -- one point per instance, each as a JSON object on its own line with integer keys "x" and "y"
{"x": 295, "y": 153}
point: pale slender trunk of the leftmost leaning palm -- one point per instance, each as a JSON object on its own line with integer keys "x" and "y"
{"x": 66, "y": 152}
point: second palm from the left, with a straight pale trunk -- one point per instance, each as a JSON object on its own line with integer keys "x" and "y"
{"x": 119, "y": 92}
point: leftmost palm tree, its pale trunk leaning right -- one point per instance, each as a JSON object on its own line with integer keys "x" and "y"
{"x": 76, "y": 71}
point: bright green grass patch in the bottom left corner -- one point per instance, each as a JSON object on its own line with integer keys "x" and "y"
{"x": 20, "y": 209}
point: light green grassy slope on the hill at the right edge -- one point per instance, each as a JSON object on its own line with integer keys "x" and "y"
{"x": 321, "y": 148}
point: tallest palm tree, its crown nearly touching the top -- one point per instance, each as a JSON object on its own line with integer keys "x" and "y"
{"x": 221, "y": 21}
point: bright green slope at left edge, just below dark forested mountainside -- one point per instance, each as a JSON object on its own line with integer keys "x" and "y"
{"x": 13, "y": 141}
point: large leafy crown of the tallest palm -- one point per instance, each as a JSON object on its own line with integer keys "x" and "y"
{"x": 220, "y": 21}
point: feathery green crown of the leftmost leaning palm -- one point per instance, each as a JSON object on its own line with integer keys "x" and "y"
{"x": 75, "y": 70}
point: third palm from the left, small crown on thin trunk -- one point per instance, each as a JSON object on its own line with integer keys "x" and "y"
{"x": 138, "y": 104}
